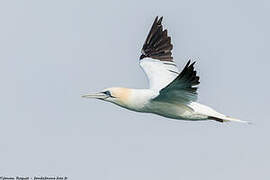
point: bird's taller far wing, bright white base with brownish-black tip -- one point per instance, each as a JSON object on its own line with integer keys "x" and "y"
{"x": 156, "y": 59}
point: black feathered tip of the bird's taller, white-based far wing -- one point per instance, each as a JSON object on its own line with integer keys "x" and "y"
{"x": 157, "y": 44}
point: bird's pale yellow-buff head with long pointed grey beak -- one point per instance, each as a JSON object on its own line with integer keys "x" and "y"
{"x": 115, "y": 95}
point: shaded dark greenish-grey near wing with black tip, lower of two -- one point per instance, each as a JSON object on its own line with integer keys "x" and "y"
{"x": 183, "y": 88}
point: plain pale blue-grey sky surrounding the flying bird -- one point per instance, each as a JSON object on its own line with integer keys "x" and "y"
{"x": 53, "y": 51}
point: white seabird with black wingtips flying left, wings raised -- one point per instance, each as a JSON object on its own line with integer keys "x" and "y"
{"x": 171, "y": 93}
